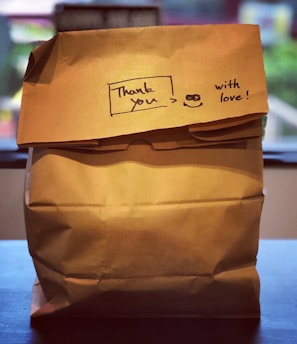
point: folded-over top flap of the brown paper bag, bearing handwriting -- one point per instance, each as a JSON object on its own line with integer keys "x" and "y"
{"x": 93, "y": 85}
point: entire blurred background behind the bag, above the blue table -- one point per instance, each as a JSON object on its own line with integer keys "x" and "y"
{"x": 25, "y": 24}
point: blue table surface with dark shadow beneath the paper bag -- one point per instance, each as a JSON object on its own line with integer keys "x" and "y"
{"x": 277, "y": 266}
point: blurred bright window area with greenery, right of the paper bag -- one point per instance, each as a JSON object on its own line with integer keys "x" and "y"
{"x": 277, "y": 20}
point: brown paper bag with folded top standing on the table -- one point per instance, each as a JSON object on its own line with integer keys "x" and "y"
{"x": 144, "y": 184}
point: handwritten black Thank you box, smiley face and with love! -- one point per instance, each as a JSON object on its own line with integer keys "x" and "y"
{"x": 149, "y": 93}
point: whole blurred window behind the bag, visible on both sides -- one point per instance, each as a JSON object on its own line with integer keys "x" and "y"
{"x": 25, "y": 24}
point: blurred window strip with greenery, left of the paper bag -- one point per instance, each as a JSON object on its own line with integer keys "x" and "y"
{"x": 19, "y": 35}
